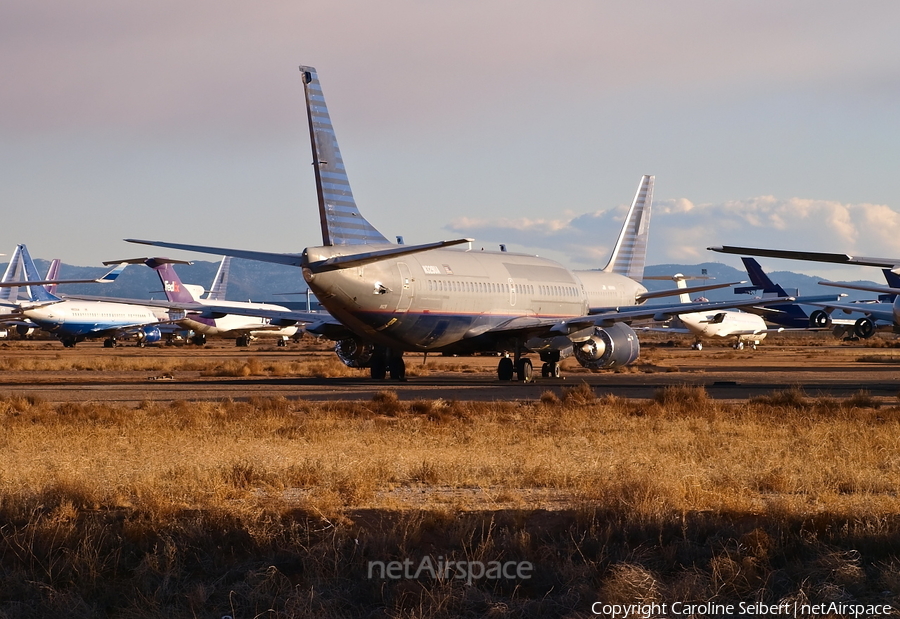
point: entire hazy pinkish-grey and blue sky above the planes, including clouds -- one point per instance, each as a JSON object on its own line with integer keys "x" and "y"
{"x": 523, "y": 122}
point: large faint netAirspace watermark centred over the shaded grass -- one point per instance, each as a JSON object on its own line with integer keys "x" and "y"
{"x": 445, "y": 570}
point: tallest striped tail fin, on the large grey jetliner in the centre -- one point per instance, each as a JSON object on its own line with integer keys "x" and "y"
{"x": 342, "y": 223}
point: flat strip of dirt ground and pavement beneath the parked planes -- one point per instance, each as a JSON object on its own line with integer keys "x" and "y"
{"x": 129, "y": 375}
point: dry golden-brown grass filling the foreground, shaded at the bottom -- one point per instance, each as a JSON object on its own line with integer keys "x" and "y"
{"x": 273, "y": 508}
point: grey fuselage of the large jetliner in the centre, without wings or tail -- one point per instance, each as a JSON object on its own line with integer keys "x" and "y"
{"x": 444, "y": 298}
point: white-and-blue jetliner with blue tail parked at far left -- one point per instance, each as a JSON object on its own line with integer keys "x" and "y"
{"x": 74, "y": 320}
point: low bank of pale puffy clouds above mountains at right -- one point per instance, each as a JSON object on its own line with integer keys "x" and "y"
{"x": 682, "y": 230}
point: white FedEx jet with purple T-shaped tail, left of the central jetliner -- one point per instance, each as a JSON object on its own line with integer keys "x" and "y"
{"x": 241, "y": 328}
